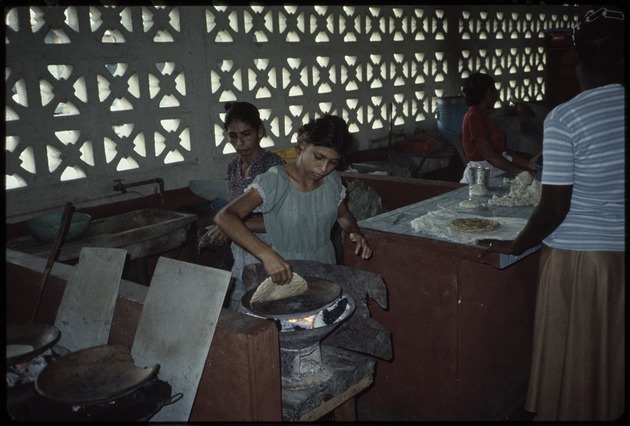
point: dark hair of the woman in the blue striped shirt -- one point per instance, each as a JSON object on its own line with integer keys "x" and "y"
{"x": 598, "y": 39}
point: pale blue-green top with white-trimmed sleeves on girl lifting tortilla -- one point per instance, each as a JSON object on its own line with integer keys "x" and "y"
{"x": 299, "y": 224}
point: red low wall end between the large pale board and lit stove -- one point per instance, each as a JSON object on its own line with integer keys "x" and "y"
{"x": 244, "y": 358}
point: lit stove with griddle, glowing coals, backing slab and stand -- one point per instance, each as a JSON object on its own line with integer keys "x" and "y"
{"x": 328, "y": 340}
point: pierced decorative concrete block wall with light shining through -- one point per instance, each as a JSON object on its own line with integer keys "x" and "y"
{"x": 97, "y": 93}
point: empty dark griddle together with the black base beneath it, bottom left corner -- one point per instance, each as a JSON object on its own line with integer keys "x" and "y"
{"x": 94, "y": 384}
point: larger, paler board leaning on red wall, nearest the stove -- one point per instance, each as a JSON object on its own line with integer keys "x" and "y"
{"x": 176, "y": 327}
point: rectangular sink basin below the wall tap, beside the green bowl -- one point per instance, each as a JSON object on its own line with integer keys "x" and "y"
{"x": 145, "y": 232}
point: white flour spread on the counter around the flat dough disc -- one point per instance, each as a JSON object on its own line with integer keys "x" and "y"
{"x": 437, "y": 224}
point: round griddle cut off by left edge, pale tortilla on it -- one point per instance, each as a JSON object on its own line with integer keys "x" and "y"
{"x": 26, "y": 341}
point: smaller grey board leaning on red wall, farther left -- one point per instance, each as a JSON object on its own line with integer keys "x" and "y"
{"x": 85, "y": 313}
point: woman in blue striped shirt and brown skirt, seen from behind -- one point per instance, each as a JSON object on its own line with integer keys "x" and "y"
{"x": 578, "y": 360}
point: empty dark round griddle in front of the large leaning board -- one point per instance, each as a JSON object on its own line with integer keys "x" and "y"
{"x": 93, "y": 376}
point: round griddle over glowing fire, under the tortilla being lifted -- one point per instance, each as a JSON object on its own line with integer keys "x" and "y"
{"x": 320, "y": 294}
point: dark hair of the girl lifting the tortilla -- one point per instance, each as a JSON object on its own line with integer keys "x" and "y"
{"x": 328, "y": 131}
